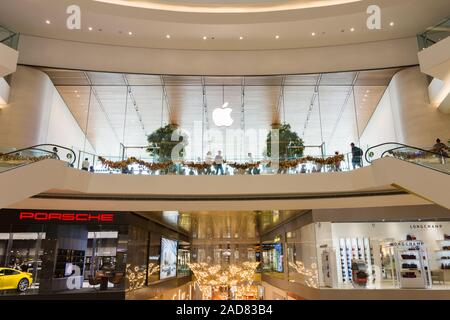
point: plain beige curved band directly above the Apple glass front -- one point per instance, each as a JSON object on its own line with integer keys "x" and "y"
{"x": 96, "y": 57}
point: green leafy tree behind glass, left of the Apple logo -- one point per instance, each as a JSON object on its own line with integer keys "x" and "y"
{"x": 160, "y": 144}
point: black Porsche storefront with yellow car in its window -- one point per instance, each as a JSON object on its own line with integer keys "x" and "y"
{"x": 54, "y": 252}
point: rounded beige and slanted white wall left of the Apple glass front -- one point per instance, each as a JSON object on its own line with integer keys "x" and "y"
{"x": 37, "y": 114}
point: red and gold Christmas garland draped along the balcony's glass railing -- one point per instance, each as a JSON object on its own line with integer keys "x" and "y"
{"x": 203, "y": 166}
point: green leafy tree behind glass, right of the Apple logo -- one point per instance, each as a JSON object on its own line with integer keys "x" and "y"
{"x": 290, "y": 144}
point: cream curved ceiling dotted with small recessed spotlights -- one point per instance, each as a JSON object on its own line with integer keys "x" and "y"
{"x": 331, "y": 24}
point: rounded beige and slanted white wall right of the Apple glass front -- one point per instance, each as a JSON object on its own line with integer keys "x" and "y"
{"x": 405, "y": 115}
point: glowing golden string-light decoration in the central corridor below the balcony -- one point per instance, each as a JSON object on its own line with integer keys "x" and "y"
{"x": 224, "y": 279}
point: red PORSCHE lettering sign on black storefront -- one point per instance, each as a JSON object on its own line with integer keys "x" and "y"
{"x": 56, "y": 216}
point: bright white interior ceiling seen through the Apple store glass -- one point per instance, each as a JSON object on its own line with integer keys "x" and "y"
{"x": 116, "y": 117}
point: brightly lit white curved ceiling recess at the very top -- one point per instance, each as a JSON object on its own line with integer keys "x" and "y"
{"x": 230, "y": 6}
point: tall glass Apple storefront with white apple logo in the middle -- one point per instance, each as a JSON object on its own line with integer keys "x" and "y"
{"x": 130, "y": 115}
